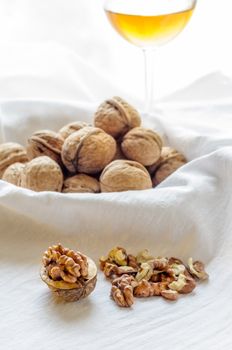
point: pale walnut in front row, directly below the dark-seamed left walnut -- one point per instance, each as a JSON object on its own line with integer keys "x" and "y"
{"x": 42, "y": 174}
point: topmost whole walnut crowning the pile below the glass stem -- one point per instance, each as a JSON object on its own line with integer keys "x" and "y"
{"x": 116, "y": 117}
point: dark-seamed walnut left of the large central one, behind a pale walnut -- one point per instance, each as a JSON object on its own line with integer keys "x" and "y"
{"x": 45, "y": 143}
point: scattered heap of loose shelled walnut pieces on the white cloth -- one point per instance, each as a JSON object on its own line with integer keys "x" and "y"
{"x": 145, "y": 276}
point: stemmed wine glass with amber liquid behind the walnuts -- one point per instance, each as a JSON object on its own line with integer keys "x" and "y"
{"x": 149, "y": 24}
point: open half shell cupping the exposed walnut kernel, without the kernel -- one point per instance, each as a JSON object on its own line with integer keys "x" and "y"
{"x": 72, "y": 291}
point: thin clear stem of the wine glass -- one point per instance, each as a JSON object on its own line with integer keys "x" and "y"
{"x": 149, "y": 88}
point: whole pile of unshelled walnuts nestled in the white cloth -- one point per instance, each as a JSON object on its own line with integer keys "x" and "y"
{"x": 115, "y": 154}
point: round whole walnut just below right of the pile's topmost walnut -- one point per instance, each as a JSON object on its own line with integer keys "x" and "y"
{"x": 142, "y": 145}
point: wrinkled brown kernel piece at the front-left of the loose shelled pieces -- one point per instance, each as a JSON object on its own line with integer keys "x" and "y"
{"x": 122, "y": 290}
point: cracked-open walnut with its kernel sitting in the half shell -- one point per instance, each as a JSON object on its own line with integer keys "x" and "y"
{"x": 68, "y": 273}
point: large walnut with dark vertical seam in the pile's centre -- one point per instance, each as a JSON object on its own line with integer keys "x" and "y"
{"x": 88, "y": 150}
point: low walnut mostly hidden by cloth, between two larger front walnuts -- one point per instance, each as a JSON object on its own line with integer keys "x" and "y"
{"x": 81, "y": 183}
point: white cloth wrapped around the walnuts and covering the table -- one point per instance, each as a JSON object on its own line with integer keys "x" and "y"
{"x": 187, "y": 215}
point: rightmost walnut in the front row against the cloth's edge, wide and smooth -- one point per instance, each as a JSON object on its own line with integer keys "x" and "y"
{"x": 124, "y": 175}
